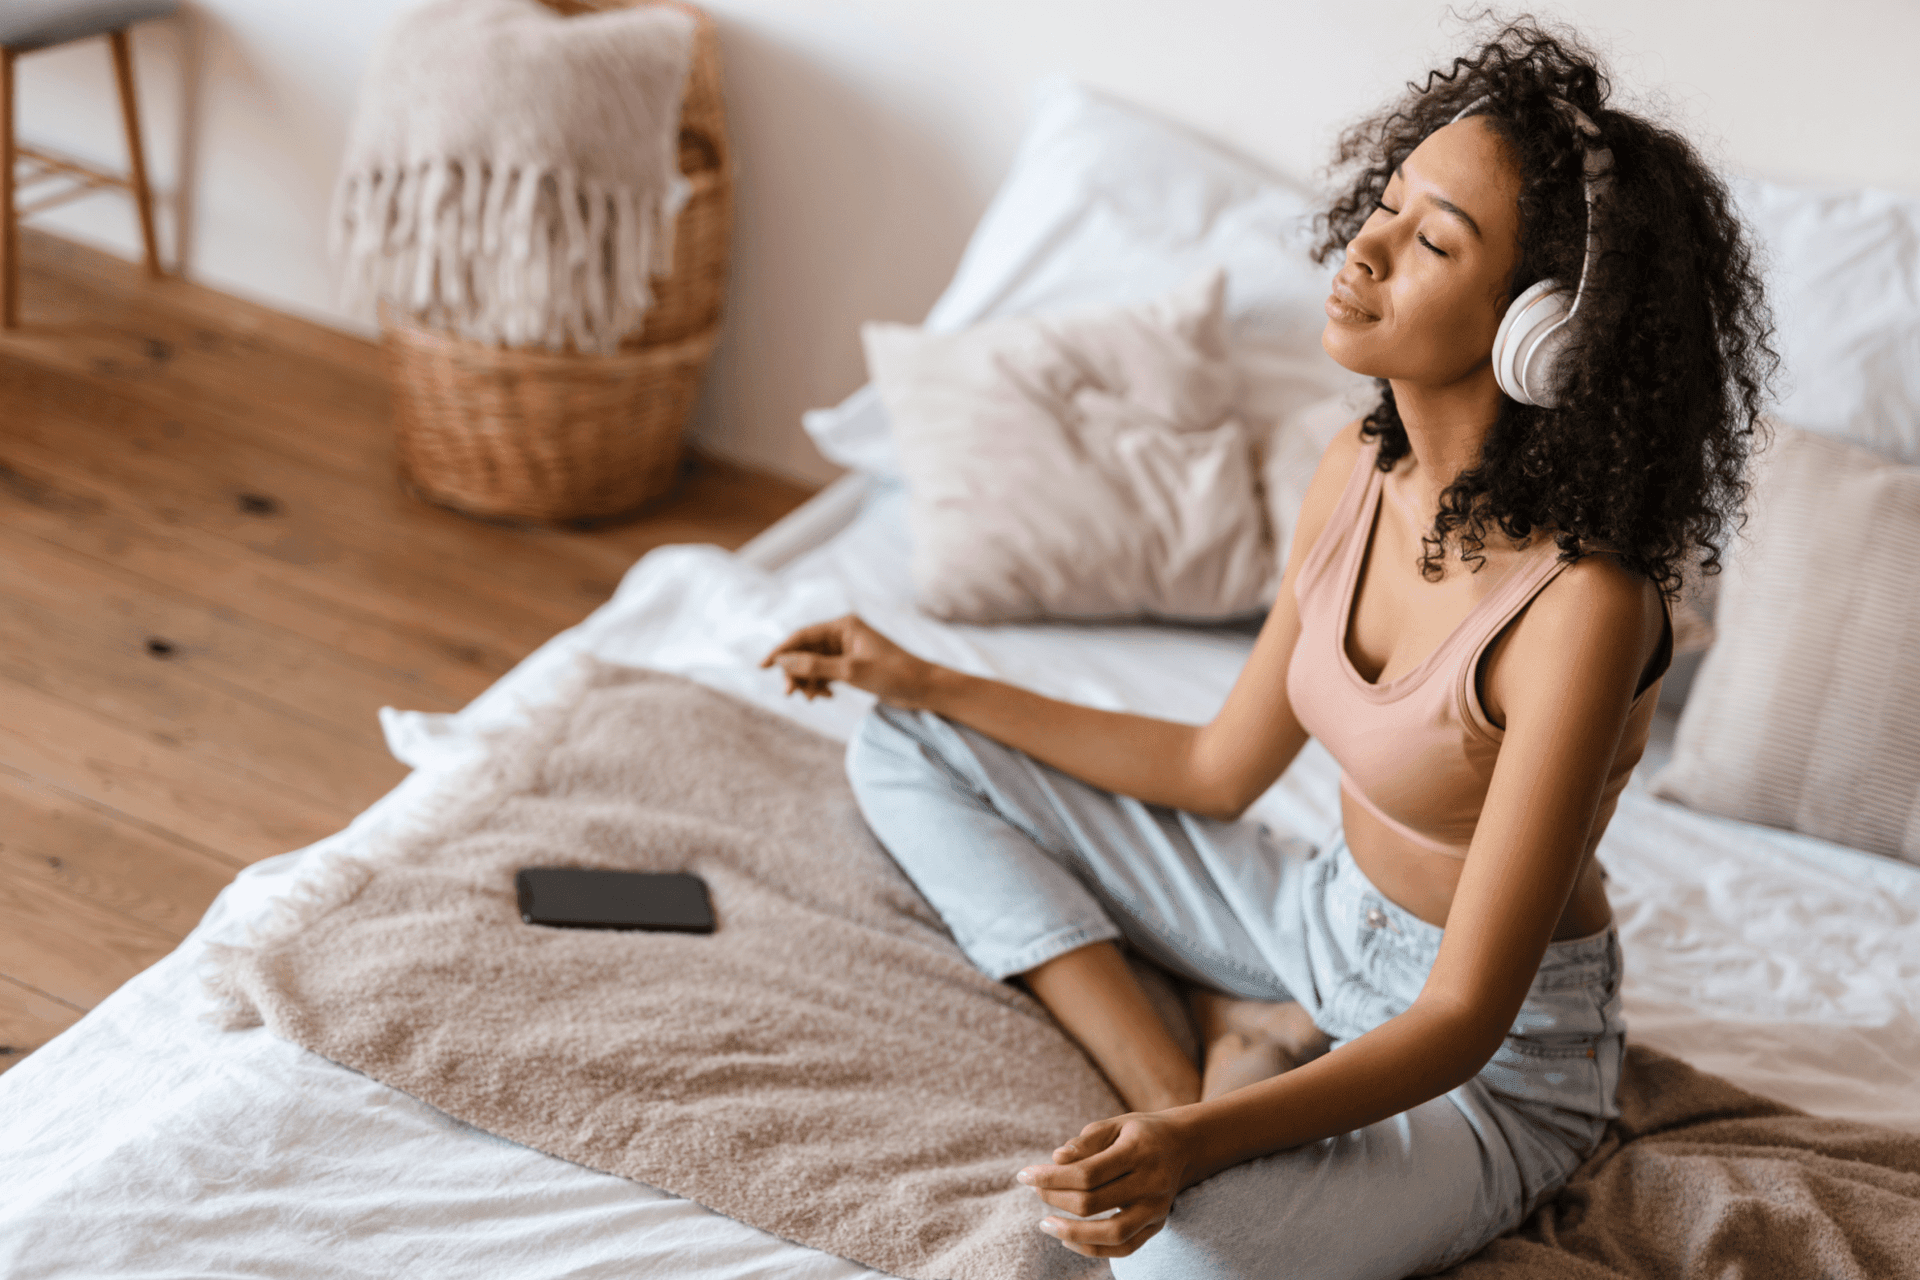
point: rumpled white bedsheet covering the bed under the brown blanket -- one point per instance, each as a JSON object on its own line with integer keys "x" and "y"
{"x": 147, "y": 1143}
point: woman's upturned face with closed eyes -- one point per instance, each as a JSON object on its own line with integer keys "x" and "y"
{"x": 1426, "y": 281}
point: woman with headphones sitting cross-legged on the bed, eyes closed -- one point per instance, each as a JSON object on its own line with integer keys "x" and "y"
{"x": 1474, "y": 621}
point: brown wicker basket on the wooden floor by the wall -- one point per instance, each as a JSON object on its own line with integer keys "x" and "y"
{"x": 560, "y": 437}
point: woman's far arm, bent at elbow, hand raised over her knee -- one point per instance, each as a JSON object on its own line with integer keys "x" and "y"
{"x": 1216, "y": 769}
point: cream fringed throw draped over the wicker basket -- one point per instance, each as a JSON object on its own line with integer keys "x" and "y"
{"x": 512, "y": 174}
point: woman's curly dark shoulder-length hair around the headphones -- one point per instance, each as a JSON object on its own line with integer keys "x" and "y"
{"x": 1669, "y": 360}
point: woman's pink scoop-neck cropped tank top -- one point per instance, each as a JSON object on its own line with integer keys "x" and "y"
{"x": 1418, "y": 751}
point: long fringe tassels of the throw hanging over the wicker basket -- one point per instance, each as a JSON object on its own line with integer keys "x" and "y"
{"x": 506, "y": 254}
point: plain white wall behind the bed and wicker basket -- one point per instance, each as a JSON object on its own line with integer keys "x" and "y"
{"x": 871, "y": 133}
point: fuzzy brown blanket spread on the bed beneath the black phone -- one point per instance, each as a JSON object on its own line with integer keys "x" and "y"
{"x": 830, "y": 1068}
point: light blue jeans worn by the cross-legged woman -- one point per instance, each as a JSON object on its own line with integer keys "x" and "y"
{"x": 1026, "y": 863}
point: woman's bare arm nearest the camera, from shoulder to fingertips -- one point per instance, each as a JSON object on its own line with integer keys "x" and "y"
{"x": 1568, "y": 678}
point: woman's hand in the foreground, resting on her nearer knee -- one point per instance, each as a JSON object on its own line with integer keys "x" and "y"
{"x": 1136, "y": 1164}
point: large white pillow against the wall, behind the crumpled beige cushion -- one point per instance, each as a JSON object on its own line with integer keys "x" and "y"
{"x": 1111, "y": 204}
